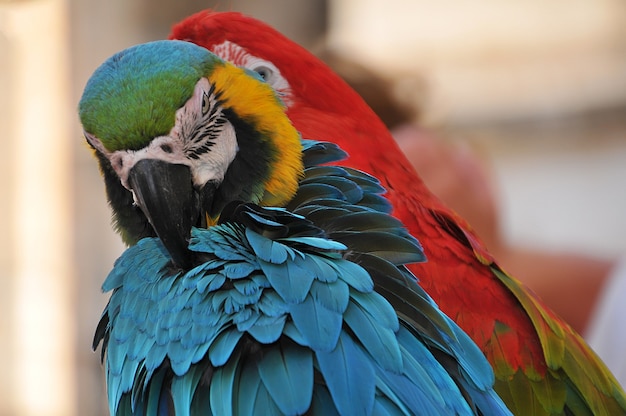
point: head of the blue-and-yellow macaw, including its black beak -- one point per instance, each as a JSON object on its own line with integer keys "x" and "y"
{"x": 179, "y": 133}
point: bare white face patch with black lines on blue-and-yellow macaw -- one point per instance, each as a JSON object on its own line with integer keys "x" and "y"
{"x": 202, "y": 138}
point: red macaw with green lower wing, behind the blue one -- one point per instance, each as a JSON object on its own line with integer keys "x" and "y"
{"x": 542, "y": 366}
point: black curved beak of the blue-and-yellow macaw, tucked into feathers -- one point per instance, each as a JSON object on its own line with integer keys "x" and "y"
{"x": 165, "y": 193}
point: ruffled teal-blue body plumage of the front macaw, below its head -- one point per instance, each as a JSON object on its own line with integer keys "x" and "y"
{"x": 305, "y": 308}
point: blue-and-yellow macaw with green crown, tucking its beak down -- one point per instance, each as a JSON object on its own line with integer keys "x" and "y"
{"x": 258, "y": 279}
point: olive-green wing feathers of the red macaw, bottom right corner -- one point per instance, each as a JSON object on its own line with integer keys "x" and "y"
{"x": 590, "y": 388}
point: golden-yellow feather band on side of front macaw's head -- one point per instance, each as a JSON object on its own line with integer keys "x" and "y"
{"x": 267, "y": 113}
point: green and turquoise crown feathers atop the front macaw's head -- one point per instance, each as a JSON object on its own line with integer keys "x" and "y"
{"x": 134, "y": 95}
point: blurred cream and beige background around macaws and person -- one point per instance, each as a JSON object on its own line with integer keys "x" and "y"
{"x": 538, "y": 86}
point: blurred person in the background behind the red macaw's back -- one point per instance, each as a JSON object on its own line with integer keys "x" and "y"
{"x": 586, "y": 291}
